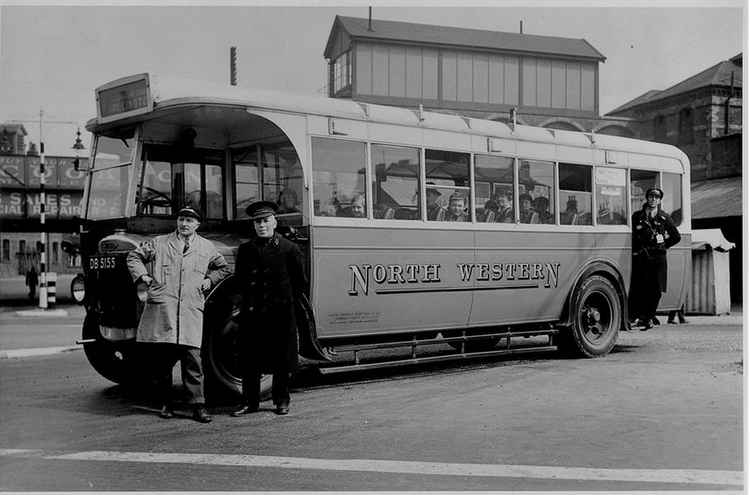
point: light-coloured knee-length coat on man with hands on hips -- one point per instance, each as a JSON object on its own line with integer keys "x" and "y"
{"x": 174, "y": 308}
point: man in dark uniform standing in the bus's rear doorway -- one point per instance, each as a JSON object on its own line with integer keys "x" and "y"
{"x": 653, "y": 234}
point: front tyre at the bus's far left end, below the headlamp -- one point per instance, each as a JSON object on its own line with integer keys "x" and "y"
{"x": 114, "y": 361}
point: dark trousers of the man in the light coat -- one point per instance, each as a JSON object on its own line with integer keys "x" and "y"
{"x": 164, "y": 357}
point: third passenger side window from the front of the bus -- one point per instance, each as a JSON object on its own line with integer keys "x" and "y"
{"x": 447, "y": 189}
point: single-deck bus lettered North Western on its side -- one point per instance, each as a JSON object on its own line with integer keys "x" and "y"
{"x": 392, "y": 272}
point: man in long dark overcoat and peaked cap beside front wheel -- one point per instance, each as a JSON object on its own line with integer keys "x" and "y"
{"x": 270, "y": 273}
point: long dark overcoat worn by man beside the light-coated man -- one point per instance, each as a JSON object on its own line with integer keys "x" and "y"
{"x": 271, "y": 275}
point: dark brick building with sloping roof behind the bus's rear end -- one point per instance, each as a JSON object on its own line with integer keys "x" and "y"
{"x": 702, "y": 115}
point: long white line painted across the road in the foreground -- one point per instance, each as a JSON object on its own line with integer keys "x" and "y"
{"x": 684, "y": 476}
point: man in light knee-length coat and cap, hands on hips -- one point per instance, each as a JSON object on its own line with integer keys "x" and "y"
{"x": 185, "y": 267}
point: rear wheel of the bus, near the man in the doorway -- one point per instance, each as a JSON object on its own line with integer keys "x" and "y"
{"x": 596, "y": 318}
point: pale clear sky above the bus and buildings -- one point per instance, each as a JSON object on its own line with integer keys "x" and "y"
{"x": 52, "y": 57}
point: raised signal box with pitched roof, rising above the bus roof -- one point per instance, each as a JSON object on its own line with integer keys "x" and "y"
{"x": 553, "y": 82}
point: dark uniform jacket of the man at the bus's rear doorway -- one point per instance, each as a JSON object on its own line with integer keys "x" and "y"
{"x": 649, "y": 251}
